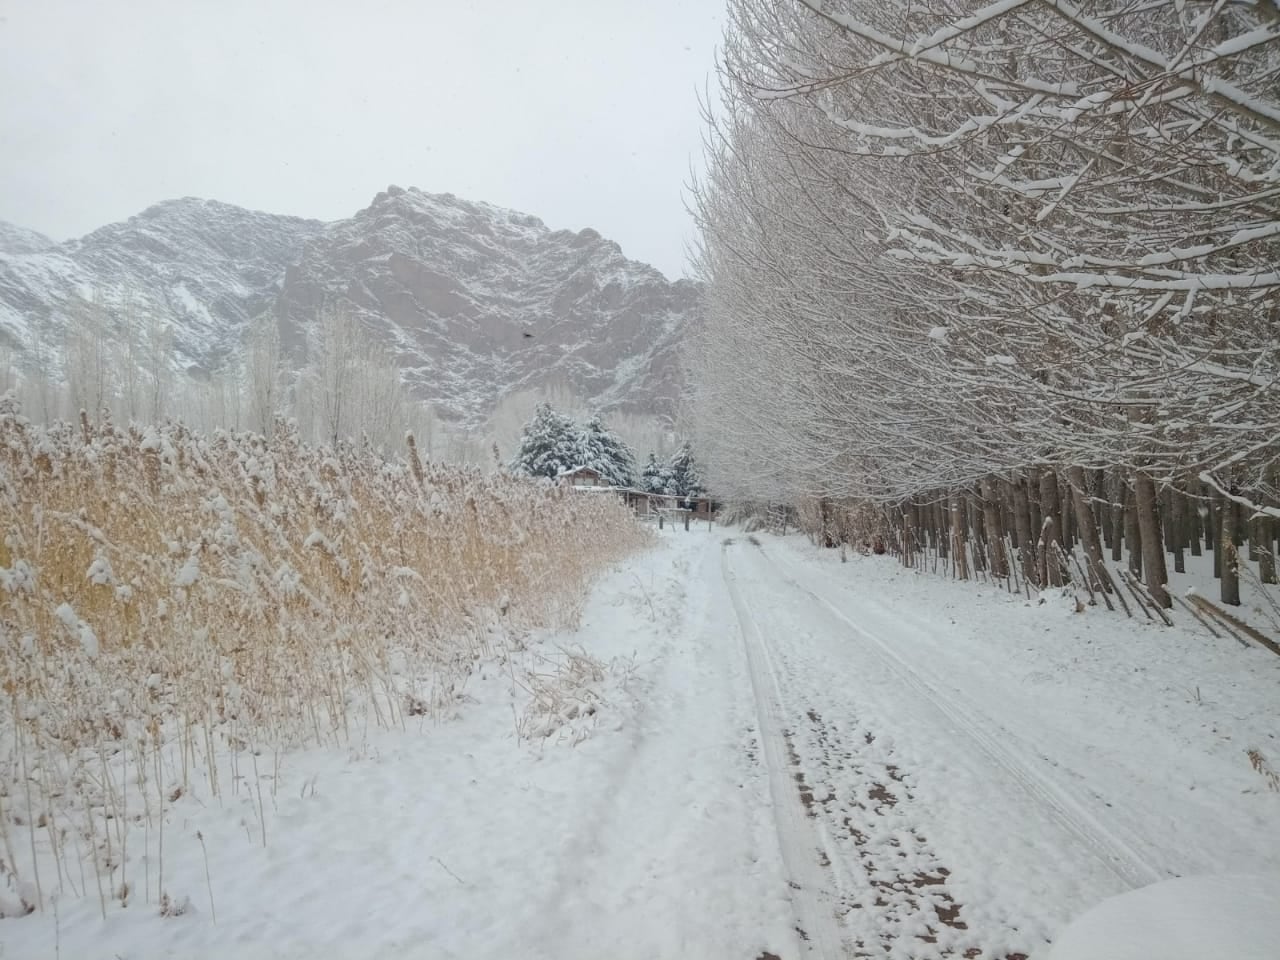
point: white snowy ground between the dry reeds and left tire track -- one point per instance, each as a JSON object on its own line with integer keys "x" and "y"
{"x": 648, "y": 838}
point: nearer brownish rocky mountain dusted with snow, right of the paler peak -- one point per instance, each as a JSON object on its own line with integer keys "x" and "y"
{"x": 478, "y": 301}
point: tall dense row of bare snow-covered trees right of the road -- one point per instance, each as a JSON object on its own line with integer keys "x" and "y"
{"x": 1008, "y": 271}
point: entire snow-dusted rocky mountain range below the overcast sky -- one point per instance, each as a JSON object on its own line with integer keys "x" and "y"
{"x": 472, "y": 300}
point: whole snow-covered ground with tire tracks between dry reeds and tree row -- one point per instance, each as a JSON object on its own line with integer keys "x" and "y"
{"x": 780, "y": 756}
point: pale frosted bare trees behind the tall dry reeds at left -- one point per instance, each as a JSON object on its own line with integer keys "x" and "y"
{"x": 117, "y": 360}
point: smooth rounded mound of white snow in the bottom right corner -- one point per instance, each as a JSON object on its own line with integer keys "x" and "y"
{"x": 1190, "y": 918}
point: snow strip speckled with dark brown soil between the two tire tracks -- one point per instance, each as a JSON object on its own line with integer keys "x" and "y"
{"x": 879, "y": 879}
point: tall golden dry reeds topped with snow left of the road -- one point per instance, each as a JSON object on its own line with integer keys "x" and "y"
{"x": 179, "y": 610}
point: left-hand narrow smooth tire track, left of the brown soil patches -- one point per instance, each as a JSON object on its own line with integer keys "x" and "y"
{"x": 812, "y": 899}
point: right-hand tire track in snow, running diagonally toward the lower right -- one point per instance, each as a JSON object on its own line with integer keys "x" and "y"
{"x": 1114, "y": 853}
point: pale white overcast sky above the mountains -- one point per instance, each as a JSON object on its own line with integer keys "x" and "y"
{"x": 582, "y": 112}
